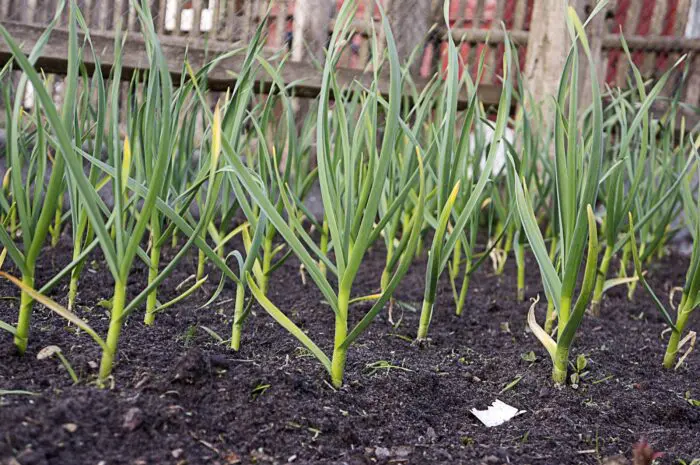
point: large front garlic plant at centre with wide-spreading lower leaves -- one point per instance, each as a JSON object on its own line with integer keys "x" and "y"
{"x": 351, "y": 188}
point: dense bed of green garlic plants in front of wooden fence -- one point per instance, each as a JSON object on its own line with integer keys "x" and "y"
{"x": 412, "y": 175}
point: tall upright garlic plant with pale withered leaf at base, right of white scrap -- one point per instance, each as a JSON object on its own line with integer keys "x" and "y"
{"x": 577, "y": 187}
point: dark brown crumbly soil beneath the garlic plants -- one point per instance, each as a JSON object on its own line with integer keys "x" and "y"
{"x": 180, "y": 397}
